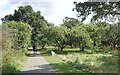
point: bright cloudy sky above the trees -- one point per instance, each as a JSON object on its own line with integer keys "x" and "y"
{"x": 53, "y": 10}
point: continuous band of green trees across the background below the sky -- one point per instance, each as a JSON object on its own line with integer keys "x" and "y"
{"x": 30, "y": 28}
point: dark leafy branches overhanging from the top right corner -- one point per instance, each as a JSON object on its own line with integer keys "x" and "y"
{"x": 100, "y": 10}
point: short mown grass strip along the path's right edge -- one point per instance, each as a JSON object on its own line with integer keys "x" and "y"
{"x": 58, "y": 64}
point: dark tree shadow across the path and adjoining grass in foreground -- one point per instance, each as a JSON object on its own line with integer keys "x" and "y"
{"x": 46, "y": 69}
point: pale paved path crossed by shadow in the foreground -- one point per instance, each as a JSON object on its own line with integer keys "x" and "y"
{"x": 36, "y": 63}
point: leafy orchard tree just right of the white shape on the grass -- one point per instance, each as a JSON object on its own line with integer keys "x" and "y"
{"x": 59, "y": 33}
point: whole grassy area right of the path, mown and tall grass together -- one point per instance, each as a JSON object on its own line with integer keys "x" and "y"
{"x": 76, "y": 61}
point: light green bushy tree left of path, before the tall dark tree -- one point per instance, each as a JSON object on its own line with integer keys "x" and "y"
{"x": 22, "y": 34}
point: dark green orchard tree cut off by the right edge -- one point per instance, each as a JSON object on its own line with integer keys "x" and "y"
{"x": 113, "y": 35}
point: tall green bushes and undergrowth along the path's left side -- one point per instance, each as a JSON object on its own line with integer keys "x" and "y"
{"x": 16, "y": 37}
